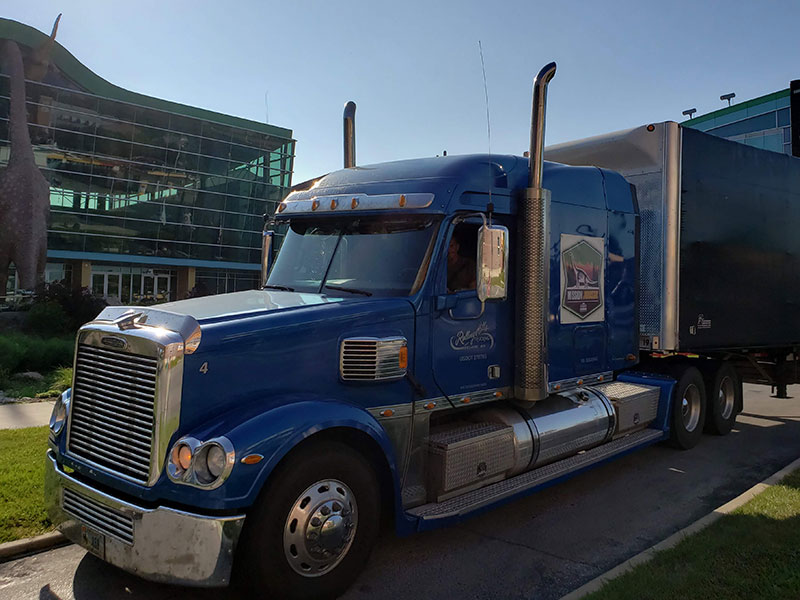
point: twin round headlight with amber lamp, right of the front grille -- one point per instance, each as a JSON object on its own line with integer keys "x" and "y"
{"x": 201, "y": 464}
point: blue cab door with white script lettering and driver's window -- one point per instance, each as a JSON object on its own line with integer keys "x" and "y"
{"x": 471, "y": 345}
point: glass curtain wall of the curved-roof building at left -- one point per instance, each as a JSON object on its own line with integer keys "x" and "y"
{"x": 133, "y": 180}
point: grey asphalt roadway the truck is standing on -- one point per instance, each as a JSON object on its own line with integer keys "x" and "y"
{"x": 539, "y": 547}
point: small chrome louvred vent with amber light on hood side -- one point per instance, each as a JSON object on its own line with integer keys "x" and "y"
{"x": 373, "y": 359}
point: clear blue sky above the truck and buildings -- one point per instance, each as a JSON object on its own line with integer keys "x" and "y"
{"x": 414, "y": 70}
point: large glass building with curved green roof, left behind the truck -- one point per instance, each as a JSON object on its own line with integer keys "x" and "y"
{"x": 148, "y": 198}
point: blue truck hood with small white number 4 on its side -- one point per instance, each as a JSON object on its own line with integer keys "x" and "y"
{"x": 268, "y": 344}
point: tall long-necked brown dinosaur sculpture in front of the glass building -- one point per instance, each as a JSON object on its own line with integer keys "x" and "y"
{"x": 24, "y": 192}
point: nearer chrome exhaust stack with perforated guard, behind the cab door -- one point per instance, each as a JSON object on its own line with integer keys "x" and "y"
{"x": 533, "y": 281}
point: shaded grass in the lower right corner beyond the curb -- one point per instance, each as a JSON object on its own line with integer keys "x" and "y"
{"x": 753, "y": 552}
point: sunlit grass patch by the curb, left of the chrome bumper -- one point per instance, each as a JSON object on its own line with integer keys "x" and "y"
{"x": 22, "y": 512}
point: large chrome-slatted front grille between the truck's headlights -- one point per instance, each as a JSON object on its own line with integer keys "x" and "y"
{"x": 112, "y": 420}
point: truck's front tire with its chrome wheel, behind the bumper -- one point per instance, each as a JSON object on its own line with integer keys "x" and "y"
{"x": 313, "y": 527}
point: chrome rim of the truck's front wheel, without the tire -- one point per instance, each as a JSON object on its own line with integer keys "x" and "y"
{"x": 320, "y": 528}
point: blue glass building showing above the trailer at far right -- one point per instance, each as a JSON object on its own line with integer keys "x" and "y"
{"x": 763, "y": 122}
